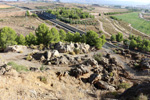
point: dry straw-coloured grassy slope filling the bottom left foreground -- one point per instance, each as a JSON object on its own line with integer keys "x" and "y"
{"x": 27, "y": 86}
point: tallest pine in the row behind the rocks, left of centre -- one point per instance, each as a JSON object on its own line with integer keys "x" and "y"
{"x": 43, "y": 34}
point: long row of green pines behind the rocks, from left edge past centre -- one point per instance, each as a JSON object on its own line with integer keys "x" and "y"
{"x": 44, "y": 35}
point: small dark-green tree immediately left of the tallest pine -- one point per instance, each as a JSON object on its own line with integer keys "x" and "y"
{"x": 31, "y": 39}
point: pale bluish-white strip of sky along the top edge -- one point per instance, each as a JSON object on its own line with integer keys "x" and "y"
{"x": 114, "y": 2}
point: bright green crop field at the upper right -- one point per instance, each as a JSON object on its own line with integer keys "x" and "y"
{"x": 136, "y": 22}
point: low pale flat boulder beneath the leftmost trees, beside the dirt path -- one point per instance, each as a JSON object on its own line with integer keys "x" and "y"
{"x": 15, "y": 48}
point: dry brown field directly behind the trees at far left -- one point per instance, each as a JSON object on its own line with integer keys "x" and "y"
{"x": 22, "y": 25}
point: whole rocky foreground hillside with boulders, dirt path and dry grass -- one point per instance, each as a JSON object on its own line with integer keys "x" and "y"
{"x": 68, "y": 71}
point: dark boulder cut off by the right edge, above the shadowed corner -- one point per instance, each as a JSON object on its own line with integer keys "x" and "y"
{"x": 145, "y": 63}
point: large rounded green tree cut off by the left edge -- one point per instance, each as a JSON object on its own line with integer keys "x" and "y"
{"x": 7, "y": 37}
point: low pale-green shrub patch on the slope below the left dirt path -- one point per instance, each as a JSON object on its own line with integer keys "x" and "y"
{"x": 17, "y": 67}
